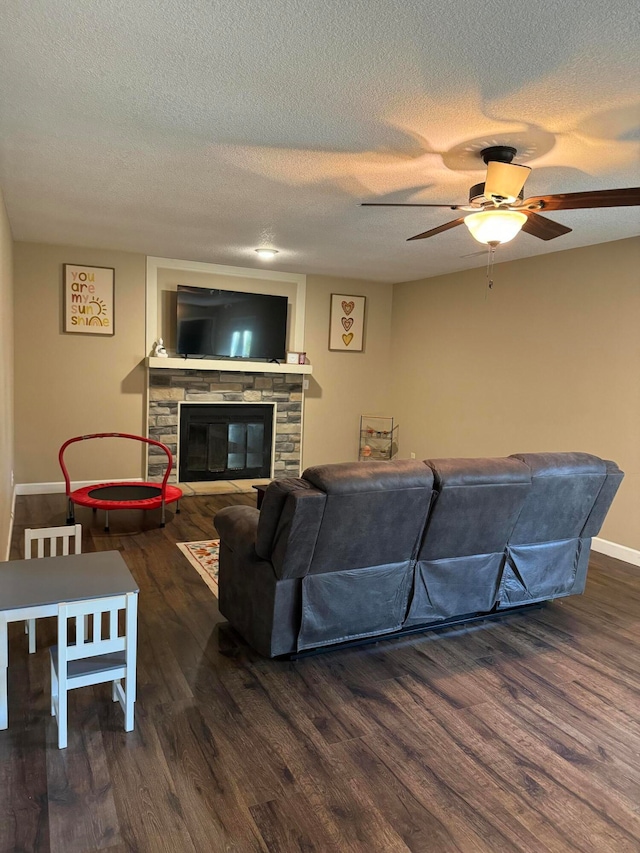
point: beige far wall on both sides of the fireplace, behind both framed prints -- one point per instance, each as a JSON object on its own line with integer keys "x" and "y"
{"x": 78, "y": 384}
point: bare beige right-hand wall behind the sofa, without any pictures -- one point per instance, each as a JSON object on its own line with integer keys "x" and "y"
{"x": 549, "y": 359}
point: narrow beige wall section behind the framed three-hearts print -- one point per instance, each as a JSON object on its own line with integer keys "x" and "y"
{"x": 344, "y": 385}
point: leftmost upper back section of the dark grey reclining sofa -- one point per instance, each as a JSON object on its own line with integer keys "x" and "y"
{"x": 343, "y": 516}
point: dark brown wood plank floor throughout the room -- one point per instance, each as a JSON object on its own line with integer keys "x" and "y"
{"x": 521, "y": 734}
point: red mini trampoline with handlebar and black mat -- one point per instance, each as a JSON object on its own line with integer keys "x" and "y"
{"x": 120, "y": 495}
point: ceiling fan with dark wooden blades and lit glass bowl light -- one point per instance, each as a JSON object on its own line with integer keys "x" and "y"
{"x": 498, "y": 210}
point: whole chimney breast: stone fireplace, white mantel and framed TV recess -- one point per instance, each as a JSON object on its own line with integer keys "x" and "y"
{"x": 174, "y": 381}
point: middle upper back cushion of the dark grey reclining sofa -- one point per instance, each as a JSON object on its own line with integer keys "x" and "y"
{"x": 478, "y": 503}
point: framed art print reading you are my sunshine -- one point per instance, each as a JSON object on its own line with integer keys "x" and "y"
{"x": 88, "y": 299}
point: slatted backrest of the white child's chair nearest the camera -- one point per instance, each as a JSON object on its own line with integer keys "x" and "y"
{"x": 96, "y": 635}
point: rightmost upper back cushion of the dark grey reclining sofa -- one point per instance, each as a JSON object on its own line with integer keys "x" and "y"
{"x": 564, "y": 490}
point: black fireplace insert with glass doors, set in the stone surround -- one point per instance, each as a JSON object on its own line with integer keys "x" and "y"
{"x": 225, "y": 441}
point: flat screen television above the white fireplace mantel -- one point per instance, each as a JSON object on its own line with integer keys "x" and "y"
{"x": 231, "y": 324}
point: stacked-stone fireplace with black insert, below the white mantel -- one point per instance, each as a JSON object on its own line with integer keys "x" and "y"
{"x": 172, "y": 388}
